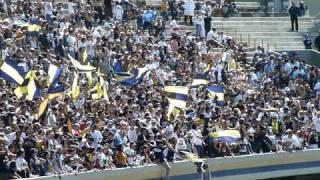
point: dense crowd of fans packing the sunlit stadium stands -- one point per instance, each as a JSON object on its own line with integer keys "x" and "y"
{"x": 273, "y": 100}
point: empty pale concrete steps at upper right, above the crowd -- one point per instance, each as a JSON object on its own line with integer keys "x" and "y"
{"x": 270, "y": 32}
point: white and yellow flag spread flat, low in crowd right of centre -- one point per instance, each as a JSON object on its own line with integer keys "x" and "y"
{"x": 227, "y": 136}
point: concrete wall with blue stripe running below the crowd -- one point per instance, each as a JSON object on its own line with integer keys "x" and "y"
{"x": 262, "y": 166}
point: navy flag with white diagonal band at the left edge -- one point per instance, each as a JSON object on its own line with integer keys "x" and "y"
{"x": 10, "y": 71}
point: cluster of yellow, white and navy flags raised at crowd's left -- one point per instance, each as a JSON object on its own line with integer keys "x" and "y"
{"x": 28, "y": 85}
